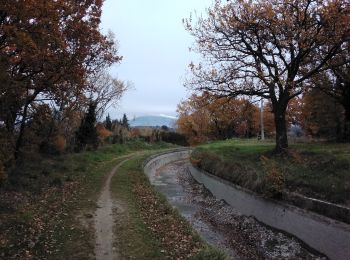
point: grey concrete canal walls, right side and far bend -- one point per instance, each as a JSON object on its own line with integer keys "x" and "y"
{"x": 325, "y": 235}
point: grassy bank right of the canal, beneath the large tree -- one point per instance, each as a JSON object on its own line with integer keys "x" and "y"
{"x": 319, "y": 170}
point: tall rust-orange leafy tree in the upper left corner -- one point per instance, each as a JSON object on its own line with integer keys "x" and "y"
{"x": 47, "y": 51}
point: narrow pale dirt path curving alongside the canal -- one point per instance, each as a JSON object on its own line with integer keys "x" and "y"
{"x": 103, "y": 220}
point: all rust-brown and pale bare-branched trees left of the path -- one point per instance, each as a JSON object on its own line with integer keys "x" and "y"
{"x": 50, "y": 54}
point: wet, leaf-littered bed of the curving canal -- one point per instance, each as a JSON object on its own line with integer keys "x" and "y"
{"x": 221, "y": 225}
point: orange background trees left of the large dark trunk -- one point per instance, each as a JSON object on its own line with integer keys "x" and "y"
{"x": 208, "y": 117}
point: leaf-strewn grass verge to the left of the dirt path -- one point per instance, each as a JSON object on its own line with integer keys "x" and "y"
{"x": 44, "y": 200}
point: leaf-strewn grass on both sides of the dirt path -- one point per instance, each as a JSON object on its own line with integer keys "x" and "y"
{"x": 46, "y": 209}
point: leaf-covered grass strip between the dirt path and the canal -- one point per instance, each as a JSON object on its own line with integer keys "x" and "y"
{"x": 147, "y": 226}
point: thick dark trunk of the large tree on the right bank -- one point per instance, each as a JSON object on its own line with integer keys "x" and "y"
{"x": 281, "y": 130}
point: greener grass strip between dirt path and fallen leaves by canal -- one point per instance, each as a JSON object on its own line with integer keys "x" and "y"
{"x": 134, "y": 241}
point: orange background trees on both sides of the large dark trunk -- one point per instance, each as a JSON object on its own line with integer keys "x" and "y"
{"x": 208, "y": 117}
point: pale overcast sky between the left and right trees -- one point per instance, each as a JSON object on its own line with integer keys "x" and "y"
{"x": 154, "y": 46}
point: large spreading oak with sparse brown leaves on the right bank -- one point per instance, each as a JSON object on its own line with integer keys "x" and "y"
{"x": 266, "y": 48}
